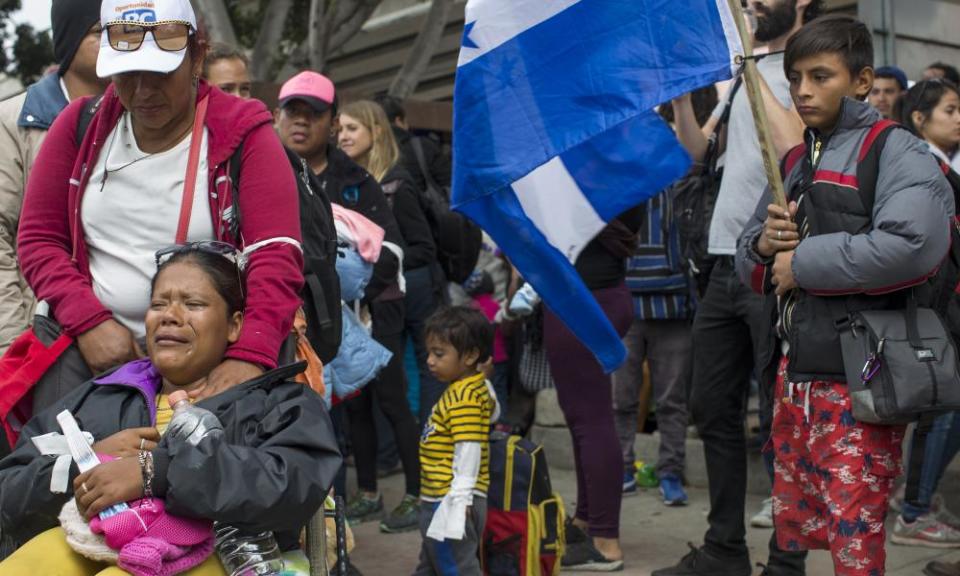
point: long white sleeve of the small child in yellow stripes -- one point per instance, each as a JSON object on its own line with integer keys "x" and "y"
{"x": 450, "y": 518}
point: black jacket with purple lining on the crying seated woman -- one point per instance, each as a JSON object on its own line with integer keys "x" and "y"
{"x": 270, "y": 471}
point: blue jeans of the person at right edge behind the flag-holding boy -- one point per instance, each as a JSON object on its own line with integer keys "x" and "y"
{"x": 943, "y": 443}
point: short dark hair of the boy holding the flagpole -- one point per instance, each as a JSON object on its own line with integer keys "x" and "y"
{"x": 840, "y": 34}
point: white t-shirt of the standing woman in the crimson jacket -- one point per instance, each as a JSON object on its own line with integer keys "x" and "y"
{"x": 133, "y": 213}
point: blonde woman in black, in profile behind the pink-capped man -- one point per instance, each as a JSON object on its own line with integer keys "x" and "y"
{"x": 366, "y": 137}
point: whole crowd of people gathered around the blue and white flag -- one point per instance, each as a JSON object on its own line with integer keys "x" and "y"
{"x": 151, "y": 233}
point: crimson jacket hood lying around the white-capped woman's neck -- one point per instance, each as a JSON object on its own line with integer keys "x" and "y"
{"x": 229, "y": 119}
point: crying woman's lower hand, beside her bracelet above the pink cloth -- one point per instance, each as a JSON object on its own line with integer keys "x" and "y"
{"x": 108, "y": 484}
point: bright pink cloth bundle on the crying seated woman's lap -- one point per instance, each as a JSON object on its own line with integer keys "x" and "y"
{"x": 154, "y": 543}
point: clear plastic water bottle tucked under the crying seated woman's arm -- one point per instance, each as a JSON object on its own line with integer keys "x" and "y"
{"x": 241, "y": 554}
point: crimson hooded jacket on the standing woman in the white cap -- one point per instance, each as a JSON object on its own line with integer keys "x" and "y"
{"x": 52, "y": 248}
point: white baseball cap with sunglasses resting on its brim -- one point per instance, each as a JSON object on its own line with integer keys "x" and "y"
{"x": 149, "y": 57}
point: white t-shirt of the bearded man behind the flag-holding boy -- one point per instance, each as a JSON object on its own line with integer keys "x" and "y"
{"x": 744, "y": 178}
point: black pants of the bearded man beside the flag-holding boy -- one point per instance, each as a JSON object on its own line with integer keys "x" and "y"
{"x": 731, "y": 341}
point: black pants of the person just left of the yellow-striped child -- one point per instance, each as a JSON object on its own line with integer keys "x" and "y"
{"x": 389, "y": 389}
